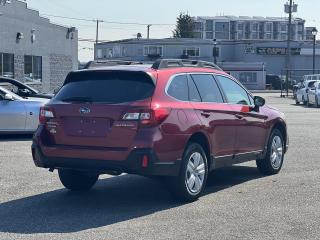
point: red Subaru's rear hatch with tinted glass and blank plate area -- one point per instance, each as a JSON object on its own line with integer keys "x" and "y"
{"x": 91, "y": 108}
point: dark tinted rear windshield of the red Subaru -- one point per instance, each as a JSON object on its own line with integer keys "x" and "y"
{"x": 106, "y": 87}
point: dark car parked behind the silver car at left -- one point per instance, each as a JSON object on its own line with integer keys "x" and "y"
{"x": 22, "y": 89}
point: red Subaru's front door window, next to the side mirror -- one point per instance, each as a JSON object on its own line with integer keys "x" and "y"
{"x": 234, "y": 93}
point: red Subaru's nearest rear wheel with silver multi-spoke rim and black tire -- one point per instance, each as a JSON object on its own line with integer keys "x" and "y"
{"x": 189, "y": 185}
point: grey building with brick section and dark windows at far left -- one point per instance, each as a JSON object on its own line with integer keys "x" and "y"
{"x": 32, "y": 49}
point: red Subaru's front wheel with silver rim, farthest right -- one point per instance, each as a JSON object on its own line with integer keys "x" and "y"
{"x": 273, "y": 161}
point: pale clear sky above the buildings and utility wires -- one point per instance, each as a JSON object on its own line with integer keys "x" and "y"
{"x": 164, "y": 11}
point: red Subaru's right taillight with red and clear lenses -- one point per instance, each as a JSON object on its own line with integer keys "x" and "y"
{"x": 147, "y": 117}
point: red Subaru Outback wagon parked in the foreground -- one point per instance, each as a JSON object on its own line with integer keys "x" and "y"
{"x": 176, "y": 118}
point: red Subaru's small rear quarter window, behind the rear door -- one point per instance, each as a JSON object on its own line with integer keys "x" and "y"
{"x": 178, "y": 88}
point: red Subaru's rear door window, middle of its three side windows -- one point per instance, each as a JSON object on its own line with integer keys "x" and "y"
{"x": 207, "y": 87}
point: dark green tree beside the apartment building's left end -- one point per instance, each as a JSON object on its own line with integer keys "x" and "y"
{"x": 184, "y": 27}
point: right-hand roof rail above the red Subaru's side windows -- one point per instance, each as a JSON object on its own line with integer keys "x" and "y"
{"x": 171, "y": 63}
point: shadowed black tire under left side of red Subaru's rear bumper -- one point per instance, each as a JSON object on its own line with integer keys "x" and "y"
{"x": 77, "y": 180}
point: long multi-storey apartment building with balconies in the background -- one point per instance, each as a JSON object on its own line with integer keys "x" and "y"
{"x": 248, "y": 28}
